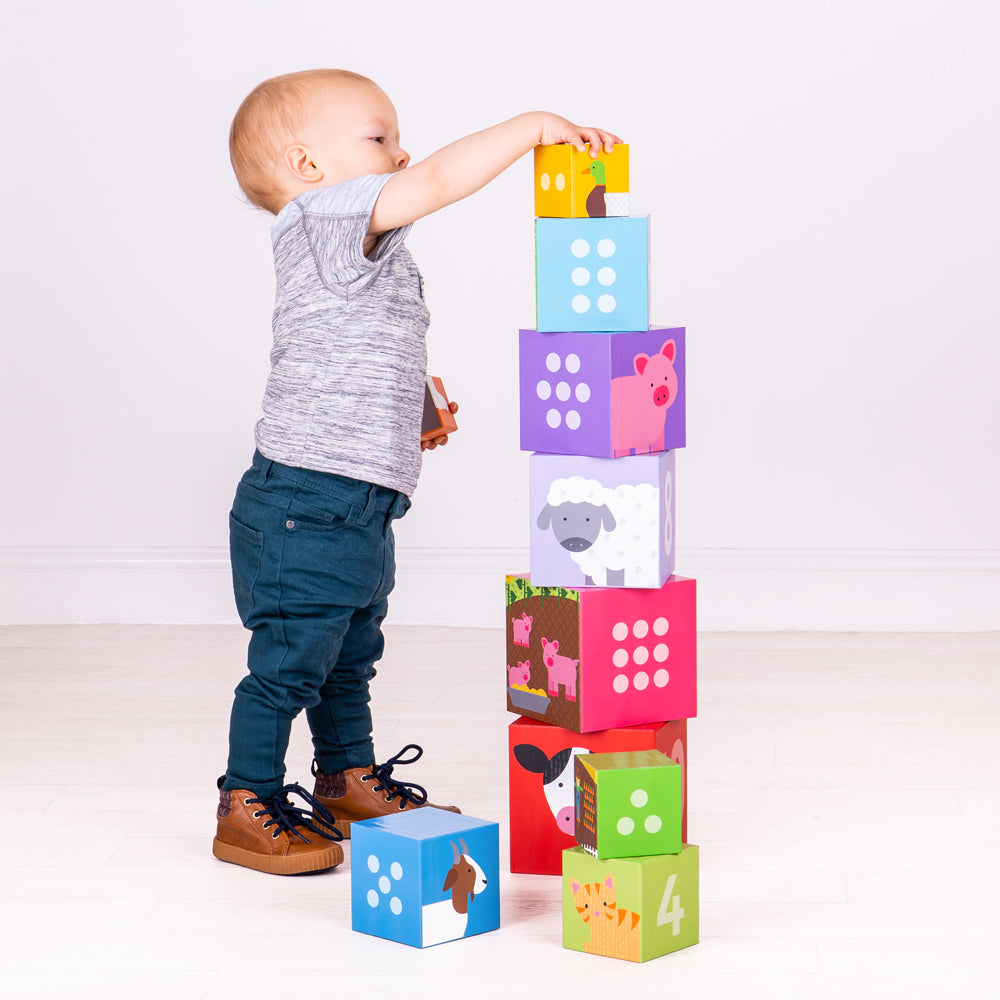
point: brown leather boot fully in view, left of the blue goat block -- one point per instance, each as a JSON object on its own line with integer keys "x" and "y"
{"x": 267, "y": 834}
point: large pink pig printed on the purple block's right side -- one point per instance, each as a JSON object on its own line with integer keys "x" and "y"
{"x": 639, "y": 402}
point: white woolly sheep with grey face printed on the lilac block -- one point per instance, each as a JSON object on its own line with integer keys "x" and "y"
{"x": 612, "y": 534}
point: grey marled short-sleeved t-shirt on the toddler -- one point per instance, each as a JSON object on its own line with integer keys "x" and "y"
{"x": 346, "y": 388}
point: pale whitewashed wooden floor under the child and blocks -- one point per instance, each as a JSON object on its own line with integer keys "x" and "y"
{"x": 844, "y": 791}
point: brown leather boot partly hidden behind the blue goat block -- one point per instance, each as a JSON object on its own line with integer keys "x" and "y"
{"x": 367, "y": 792}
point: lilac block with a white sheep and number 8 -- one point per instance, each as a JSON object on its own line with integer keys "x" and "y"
{"x": 601, "y": 522}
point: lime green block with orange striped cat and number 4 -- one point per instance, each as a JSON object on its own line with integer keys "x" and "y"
{"x": 630, "y": 908}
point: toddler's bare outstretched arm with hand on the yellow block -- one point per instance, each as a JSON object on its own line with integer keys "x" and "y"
{"x": 464, "y": 166}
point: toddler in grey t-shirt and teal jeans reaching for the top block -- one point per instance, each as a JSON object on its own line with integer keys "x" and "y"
{"x": 338, "y": 448}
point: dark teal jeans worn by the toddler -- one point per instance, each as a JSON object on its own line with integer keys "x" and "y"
{"x": 313, "y": 563}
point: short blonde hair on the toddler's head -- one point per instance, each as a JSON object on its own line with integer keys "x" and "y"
{"x": 268, "y": 121}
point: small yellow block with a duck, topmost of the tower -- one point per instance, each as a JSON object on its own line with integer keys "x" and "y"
{"x": 571, "y": 185}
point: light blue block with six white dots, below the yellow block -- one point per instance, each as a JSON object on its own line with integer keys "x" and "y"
{"x": 592, "y": 274}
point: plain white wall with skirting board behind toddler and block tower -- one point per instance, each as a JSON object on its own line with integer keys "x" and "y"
{"x": 822, "y": 183}
